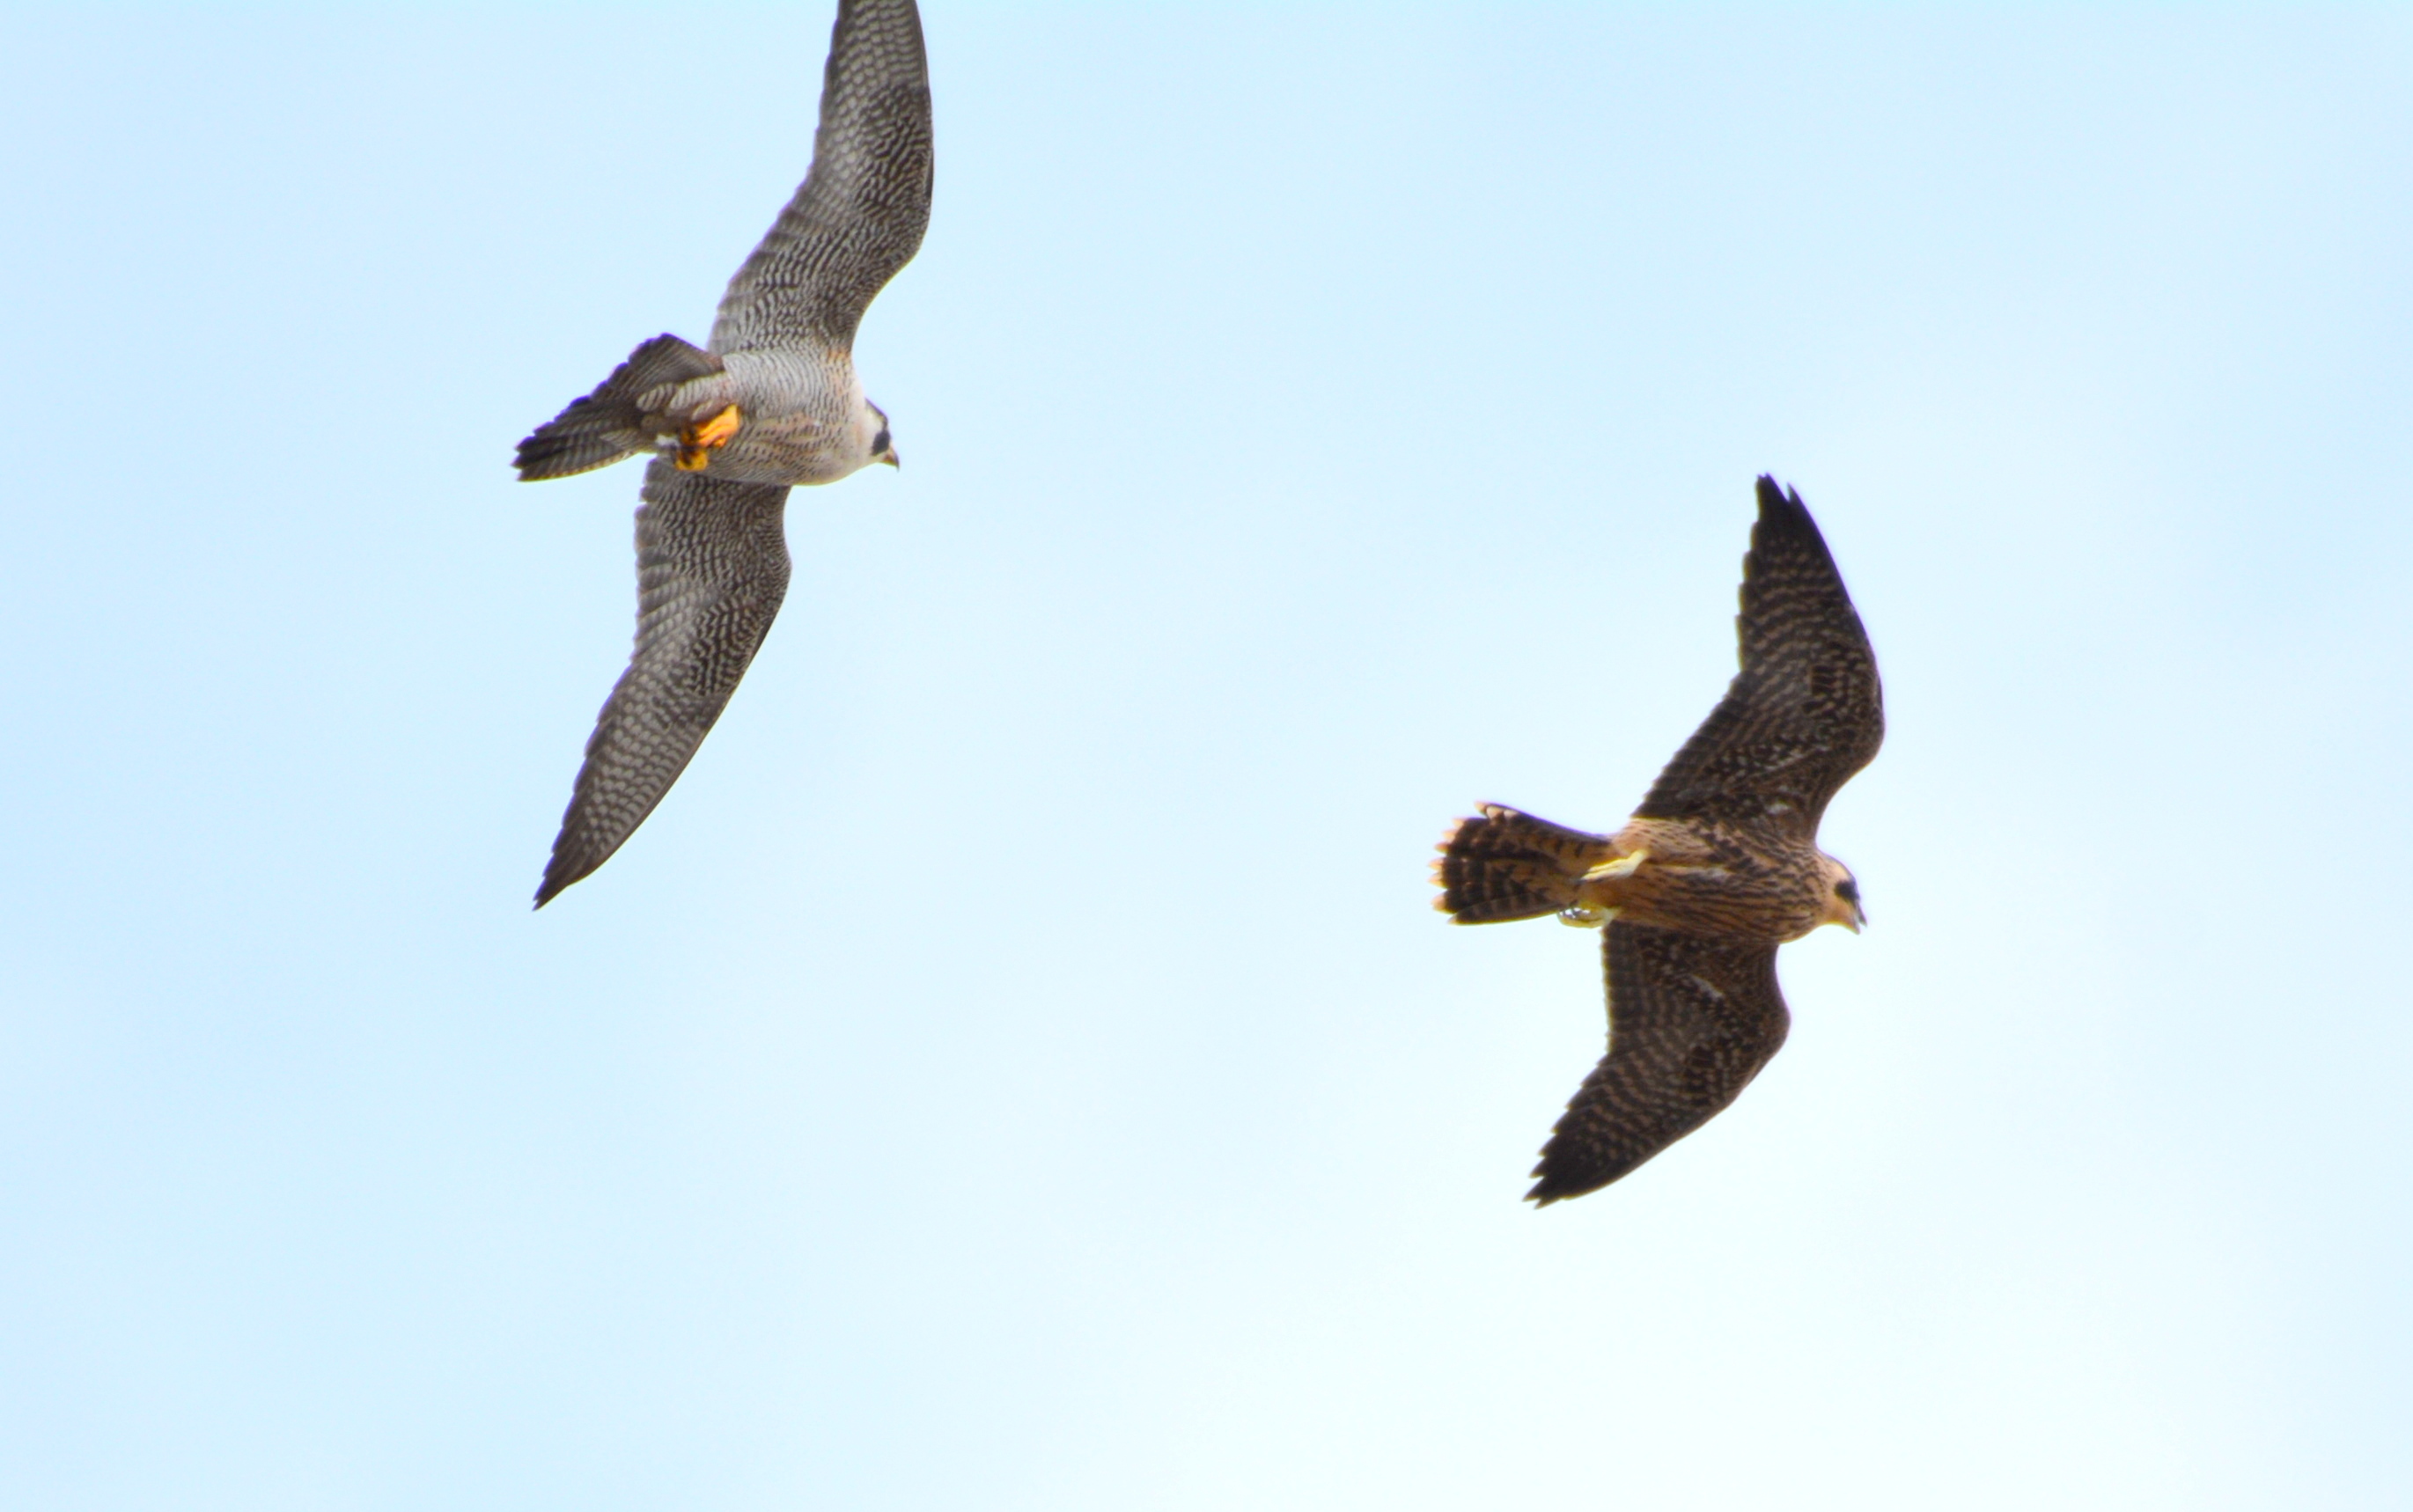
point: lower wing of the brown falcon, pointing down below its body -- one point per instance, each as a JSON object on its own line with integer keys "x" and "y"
{"x": 1690, "y": 1026}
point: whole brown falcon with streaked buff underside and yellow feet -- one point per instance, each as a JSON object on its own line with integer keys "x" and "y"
{"x": 1714, "y": 872}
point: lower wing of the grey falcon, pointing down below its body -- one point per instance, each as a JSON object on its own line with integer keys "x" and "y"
{"x": 711, "y": 578}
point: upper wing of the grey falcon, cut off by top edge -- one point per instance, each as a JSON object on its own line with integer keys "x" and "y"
{"x": 863, "y": 206}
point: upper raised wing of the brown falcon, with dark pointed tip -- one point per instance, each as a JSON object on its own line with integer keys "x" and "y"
{"x": 1804, "y": 713}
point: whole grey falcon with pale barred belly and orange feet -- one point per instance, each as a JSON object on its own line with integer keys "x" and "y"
{"x": 771, "y": 404}
